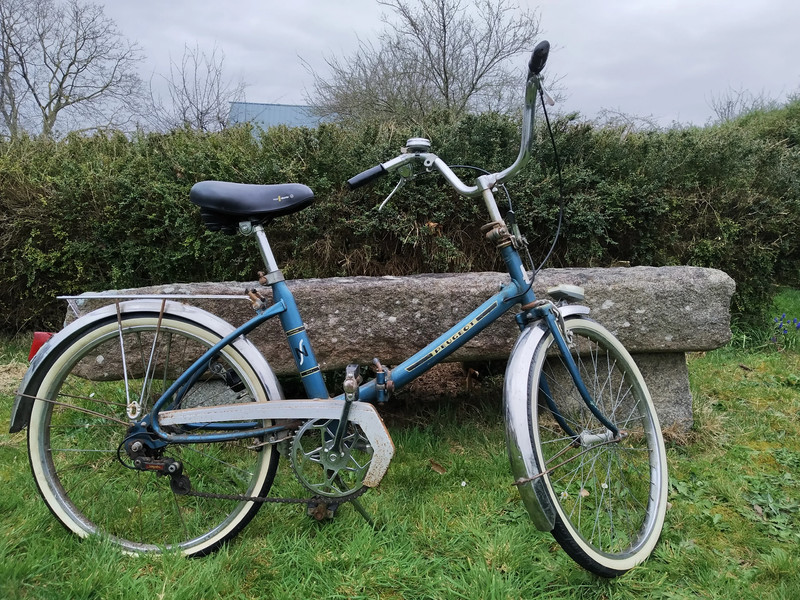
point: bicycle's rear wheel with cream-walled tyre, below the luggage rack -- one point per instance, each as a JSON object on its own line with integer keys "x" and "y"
{"x": 82, "y": 417}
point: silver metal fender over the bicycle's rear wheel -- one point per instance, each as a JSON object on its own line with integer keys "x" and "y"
{"x": 23, "y": 402}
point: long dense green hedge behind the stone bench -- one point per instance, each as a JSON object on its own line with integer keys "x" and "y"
{"x": 111, "y": 211}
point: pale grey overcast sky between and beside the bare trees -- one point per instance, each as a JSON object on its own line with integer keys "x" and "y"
{"x": 662, "y": 58}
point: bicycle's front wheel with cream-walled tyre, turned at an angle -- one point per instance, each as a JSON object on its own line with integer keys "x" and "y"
{"x": 609, "y": 492}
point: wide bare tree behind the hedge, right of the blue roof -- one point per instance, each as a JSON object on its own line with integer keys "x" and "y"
{"x": 436, "y": 55}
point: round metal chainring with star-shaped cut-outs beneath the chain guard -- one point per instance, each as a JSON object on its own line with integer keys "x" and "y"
{"x": 323, "y": 471}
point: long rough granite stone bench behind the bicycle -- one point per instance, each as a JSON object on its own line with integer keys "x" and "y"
{"x": 659, "y": 314}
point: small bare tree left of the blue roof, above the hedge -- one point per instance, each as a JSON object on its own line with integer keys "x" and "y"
{"x": 199, "y": 95}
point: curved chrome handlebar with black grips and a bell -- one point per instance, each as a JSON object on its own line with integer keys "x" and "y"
{"x": 486, "y": 182}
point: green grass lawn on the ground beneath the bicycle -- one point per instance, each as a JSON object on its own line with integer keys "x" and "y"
{"x": 732, "y": 530}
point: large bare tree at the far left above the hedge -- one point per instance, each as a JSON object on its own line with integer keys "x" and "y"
{"x": 64, "y": 62}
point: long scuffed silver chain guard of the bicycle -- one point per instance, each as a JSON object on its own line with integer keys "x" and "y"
{"x": 361, "y": 414}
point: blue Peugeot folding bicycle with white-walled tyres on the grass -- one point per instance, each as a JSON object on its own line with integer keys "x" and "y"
{"x": 159, "y": 426}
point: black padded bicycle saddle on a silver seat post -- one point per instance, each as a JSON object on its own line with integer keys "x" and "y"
{"x": 223, "y": 205}
